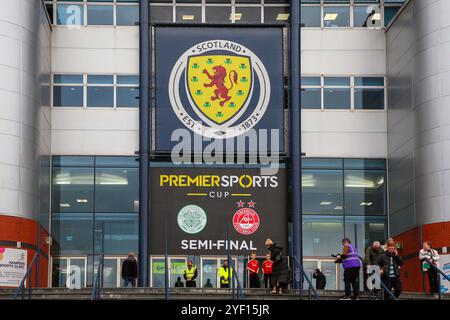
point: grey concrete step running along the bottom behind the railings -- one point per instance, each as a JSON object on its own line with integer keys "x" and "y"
{"x": 189, "y": 293}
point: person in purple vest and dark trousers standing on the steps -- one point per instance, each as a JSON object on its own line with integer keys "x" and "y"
{"x": 351, "y": 264}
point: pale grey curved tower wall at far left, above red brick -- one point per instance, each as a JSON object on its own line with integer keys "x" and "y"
{"x": 24, "y": 114}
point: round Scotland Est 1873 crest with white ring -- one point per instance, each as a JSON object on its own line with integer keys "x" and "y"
{"x": 212, "y": 86}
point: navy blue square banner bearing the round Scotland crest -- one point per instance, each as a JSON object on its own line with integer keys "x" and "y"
{"x": 218, "y": 83}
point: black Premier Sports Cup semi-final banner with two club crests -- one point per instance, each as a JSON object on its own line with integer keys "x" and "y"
{"x": 200, "y": 204}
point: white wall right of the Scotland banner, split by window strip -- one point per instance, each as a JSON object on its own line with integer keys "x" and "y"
{"x": 344, "y": 133}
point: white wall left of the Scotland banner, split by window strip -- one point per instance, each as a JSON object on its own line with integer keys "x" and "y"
{"x": 95, "y": 50}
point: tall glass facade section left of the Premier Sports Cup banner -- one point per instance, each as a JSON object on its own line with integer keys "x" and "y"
{"x": 94, "y": 205}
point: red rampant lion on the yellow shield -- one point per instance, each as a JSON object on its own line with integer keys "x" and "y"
{"x": 218, "y": 81}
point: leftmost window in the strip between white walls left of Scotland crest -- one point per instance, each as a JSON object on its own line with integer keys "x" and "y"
{"x": 68, "y": 90}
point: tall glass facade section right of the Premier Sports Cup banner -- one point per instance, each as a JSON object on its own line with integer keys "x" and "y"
{"x": 343, "y": 198}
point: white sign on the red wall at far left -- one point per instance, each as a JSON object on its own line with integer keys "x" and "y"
{"x": 13, "y": 266}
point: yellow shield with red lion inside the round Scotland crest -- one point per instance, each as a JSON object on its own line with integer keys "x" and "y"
{"x": 219, "y": 85}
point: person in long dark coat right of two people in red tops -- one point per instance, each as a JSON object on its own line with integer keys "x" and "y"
{"x": 280, "y": 269}
